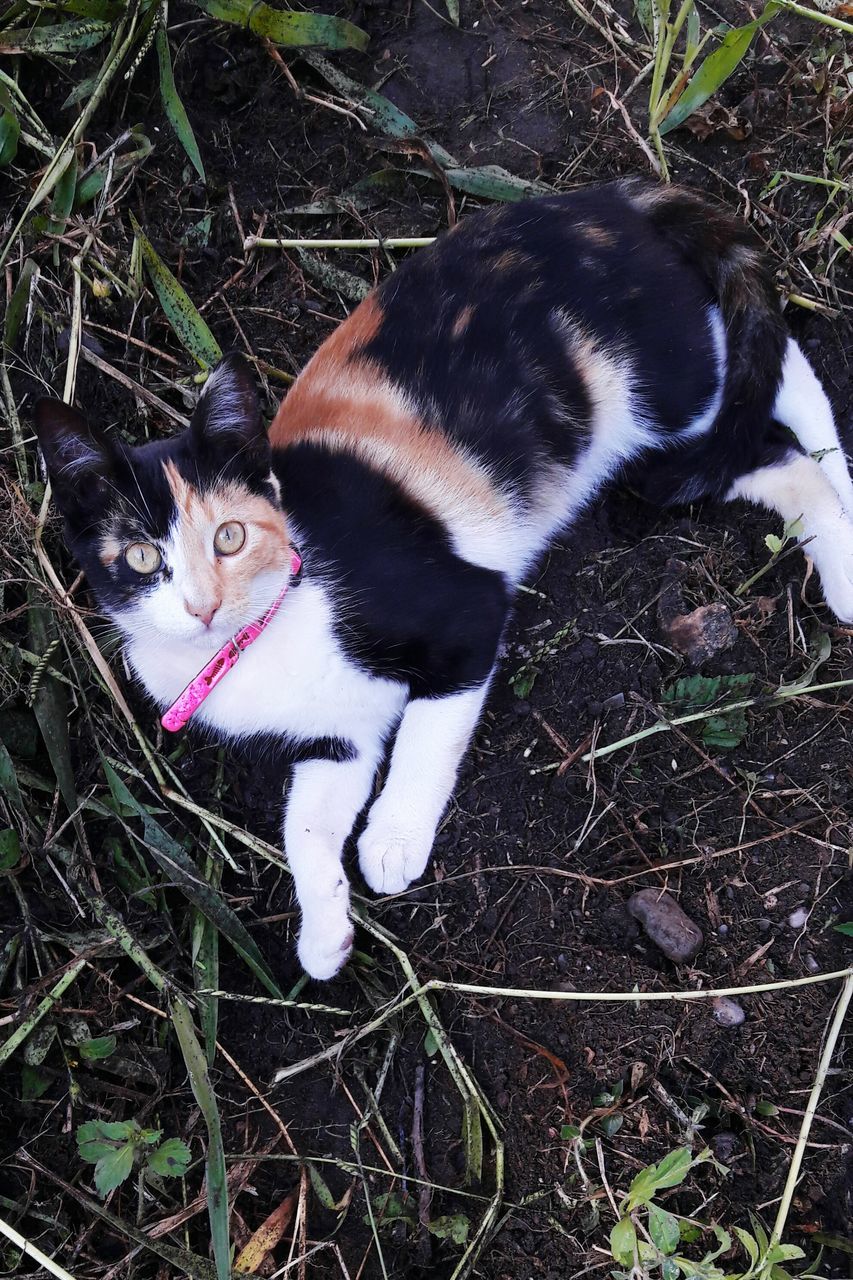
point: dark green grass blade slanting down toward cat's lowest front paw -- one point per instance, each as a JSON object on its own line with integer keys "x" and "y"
{"x": 184, "y": 872}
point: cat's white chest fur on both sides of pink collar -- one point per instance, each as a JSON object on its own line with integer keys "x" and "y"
{"x": 294, "y": 682}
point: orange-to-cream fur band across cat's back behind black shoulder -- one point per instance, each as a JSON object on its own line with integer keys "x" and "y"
{"x": 345, "y": 403}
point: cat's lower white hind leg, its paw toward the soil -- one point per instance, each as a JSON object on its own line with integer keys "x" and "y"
{"x": 800, "y": 488}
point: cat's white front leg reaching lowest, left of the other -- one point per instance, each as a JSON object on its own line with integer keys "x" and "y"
{"x": 323, "y": 802}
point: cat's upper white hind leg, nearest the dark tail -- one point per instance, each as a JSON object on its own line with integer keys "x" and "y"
{"x": 804, "y": 408}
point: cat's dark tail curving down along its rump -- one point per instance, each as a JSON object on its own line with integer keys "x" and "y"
{"x": 727, "y": 257}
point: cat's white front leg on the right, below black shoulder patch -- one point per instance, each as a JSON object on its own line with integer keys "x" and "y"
{"x": 431, "y": 743}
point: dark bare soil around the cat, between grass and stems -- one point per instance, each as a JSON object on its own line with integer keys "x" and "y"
{"x": 535, "y": 865}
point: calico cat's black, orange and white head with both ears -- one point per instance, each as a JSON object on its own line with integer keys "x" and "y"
{"x": 181, "y": 540}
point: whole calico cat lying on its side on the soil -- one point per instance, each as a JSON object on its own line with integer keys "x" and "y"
{"x": 459, "y": 419}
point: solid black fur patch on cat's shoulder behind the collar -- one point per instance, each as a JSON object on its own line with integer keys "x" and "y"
{"x": 409, "y": 609}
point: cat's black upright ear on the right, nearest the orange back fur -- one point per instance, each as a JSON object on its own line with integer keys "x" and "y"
{"x": 229, "y": 418}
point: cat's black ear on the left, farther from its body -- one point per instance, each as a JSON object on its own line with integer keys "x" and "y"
{"x": 79, "y": 459}
